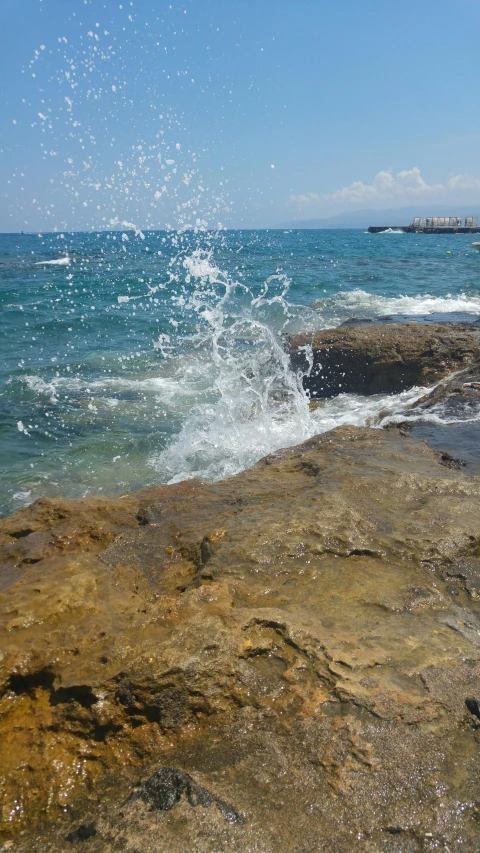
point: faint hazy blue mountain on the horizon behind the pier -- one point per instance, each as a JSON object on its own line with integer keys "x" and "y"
{"x": 392, "y": 217}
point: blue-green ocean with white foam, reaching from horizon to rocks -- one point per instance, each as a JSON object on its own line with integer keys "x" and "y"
{"x": 135, "y": 358}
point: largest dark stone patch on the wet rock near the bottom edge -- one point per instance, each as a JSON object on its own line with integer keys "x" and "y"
{"x": 167, "y": 785}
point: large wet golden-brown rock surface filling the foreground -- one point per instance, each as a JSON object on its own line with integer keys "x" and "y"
{"x": 296, "y": 642}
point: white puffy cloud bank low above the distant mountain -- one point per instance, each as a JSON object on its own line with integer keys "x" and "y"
{"x": 387, "y": 188}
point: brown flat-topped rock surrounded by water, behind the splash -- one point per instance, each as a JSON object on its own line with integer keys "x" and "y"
{"x": 381, "y": 358}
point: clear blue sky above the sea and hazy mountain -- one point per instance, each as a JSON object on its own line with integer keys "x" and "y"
{"x": 240, "y": 113}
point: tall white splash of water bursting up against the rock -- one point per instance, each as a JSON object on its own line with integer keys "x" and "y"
{"x": 258, "y": 398}
